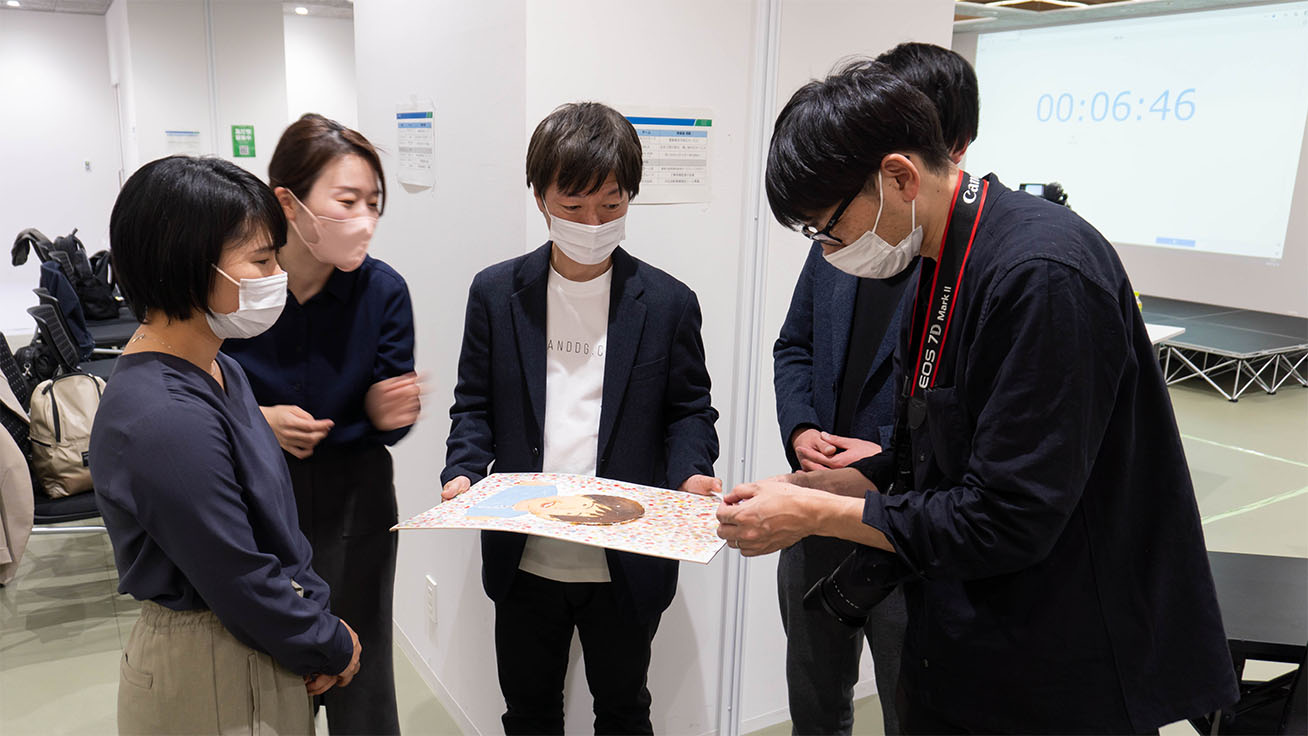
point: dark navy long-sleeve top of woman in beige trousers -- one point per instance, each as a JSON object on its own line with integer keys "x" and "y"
{"x": 199, "y": 508}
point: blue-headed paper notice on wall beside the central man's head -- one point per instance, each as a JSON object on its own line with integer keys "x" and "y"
{"x": 678, "y": 147}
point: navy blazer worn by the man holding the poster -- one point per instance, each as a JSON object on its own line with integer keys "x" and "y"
{"x": 656, "y": 424}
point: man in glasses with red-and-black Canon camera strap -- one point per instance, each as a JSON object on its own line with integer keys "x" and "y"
{"x": 1035, "y": 505}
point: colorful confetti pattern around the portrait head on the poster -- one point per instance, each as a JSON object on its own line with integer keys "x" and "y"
{"x": 676, "y": 525}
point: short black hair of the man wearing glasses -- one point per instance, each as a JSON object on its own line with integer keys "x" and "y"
{"x": 831, "y": 138}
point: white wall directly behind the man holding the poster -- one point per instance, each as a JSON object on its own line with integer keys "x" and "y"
{"x": 517, "y": 61}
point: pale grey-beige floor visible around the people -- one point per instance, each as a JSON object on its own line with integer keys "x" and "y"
{"x": 63, "y": 624}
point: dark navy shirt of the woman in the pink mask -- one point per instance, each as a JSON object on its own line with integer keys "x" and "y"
{"x": 324, "y": 356}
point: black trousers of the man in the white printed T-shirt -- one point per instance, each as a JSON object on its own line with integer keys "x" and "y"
{"x": 533, "y": 633}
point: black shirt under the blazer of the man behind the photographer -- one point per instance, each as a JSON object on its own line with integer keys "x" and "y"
{"x": 874, "y": 308}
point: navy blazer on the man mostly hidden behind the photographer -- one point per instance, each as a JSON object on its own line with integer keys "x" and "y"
{"x": 809, "y": 359}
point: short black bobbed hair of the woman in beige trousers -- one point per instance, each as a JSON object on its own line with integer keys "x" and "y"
{"x": 171, "y": 224}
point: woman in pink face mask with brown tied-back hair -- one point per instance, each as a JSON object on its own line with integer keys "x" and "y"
{"x": 336, "y": 381}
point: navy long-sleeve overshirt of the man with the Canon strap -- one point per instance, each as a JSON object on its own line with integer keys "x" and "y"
{"x": 1056, "y": 572}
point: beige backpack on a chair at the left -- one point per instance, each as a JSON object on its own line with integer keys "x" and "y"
{"x": 63, "y": 410}
